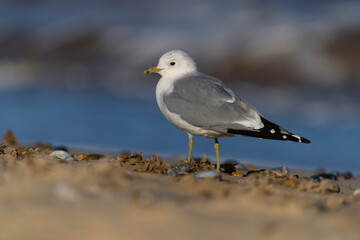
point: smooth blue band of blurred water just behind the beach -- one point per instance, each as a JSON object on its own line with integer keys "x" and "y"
{"x": 112, "y": 123}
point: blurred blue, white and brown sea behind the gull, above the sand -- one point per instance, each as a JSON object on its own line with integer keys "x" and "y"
{"x": 71, "y": 73}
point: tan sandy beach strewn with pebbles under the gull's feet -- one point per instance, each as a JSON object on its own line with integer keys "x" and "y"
{"x": 131, "y": 197}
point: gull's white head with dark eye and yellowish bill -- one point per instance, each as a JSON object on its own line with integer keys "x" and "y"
{"x": 174, "y": 63}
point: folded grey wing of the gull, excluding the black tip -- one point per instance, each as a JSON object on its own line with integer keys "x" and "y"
{"x": 207, "y": 102}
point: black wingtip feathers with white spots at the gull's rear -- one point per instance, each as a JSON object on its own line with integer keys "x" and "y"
{"x": 270, "y": 131}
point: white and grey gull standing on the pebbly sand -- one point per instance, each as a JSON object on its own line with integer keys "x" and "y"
{"x": 203, "y": 105}
